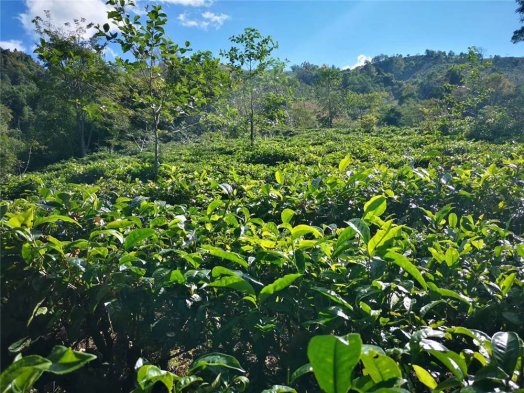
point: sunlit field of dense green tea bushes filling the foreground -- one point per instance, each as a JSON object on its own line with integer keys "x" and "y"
{"x": 241, "y": 269}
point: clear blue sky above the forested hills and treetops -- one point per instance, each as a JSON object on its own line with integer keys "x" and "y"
{"x": 321, "y": 32}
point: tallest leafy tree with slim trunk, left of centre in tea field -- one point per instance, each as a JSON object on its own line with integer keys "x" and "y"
{"x": 168, "y": 84}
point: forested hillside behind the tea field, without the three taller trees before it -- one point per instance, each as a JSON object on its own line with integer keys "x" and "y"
{"x": 39, "y": 123}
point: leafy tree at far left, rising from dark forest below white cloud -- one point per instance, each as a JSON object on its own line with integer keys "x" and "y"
{"x": 76, "y": 68}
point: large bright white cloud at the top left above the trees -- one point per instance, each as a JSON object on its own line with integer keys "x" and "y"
{"x": 63, "y": 11}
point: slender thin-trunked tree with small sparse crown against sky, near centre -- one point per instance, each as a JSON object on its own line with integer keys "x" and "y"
{"x": 249, "y": 58}
